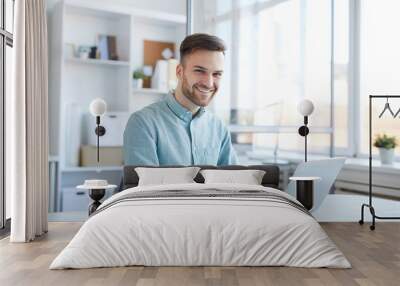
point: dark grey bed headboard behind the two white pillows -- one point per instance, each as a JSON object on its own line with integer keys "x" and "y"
{"x": 270, "y": 179}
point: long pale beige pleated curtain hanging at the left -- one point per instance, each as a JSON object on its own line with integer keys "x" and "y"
{"x": 27, "y": 122}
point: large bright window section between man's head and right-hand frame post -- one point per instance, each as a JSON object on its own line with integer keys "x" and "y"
{"x": 279, "y": 52}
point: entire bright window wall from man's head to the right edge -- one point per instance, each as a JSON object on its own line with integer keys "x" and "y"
{"x": 281, "y": 51}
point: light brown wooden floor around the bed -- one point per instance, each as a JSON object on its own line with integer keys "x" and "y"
{"x": 374, "y": 255}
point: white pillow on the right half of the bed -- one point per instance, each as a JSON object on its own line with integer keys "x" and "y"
{"x": 248, "y": 177}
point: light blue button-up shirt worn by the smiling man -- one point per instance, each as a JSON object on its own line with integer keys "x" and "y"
{"x": 166, "y": 133}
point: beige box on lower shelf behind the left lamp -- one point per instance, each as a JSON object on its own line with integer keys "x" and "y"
{"x": 109, "y": 156}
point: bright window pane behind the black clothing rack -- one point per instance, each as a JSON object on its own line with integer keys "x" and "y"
{"x": 379, "y": 66}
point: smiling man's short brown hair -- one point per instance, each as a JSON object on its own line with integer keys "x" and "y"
{"x": 200, "y": 41}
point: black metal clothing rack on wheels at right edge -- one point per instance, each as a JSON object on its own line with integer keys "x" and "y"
{"x": 369, "y": 205}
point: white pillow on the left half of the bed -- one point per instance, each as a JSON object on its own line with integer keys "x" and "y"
{"x": 163, "y": 176}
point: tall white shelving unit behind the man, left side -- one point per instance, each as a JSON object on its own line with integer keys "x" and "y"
{"x": 75, "y": 82}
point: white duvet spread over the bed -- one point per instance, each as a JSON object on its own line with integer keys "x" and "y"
{"x": 200, "y": 231}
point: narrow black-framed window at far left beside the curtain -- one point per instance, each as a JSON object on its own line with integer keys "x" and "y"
{"x": 6, "y": 43}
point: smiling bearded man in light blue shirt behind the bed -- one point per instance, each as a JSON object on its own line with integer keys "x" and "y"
{"x": 179, "y": 130}
